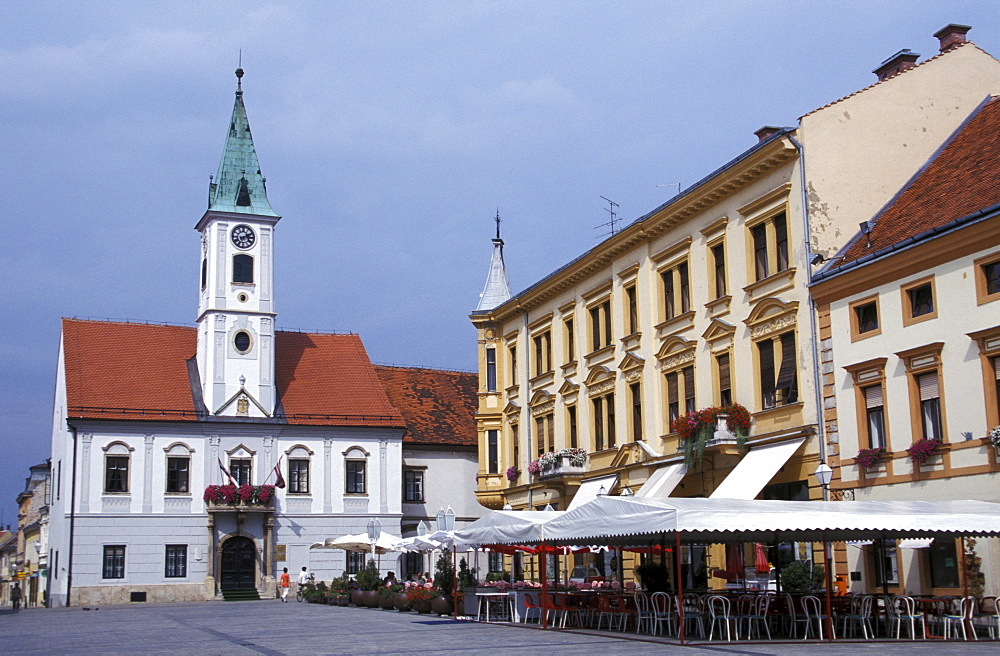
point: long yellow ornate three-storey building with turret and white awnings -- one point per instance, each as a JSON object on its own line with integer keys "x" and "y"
{"x": 704, "y": 301}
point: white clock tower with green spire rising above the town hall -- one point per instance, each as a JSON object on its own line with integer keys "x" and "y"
{"x": 236, "y": 311}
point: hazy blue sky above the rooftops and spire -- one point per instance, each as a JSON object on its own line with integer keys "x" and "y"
{"x": 391, "y": 134}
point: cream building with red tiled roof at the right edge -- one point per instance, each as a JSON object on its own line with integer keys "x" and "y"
{"x": 910, "y": 319}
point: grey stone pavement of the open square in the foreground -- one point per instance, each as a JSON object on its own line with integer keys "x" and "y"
{"x": 272, "y": 628}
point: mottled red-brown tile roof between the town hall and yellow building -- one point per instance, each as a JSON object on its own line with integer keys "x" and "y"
{"x": 439, "y": 406}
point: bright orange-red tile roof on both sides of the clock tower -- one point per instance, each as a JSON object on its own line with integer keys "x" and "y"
{"x": 118, "y": 370}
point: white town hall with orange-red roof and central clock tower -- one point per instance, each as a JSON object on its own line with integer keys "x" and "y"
{"x": 146, "y": 417}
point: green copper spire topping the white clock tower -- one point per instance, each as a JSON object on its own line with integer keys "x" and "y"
{"x": 239, "y": 185}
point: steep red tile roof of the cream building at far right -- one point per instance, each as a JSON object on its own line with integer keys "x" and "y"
{"x": 963, "y": 178}
